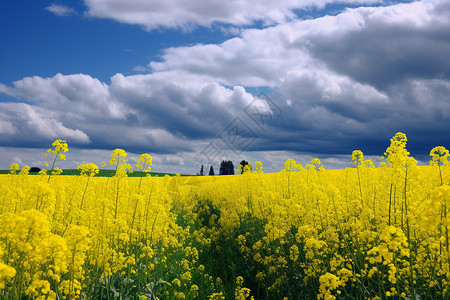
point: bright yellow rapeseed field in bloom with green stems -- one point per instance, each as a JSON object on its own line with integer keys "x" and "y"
{"x": 363, "y": 232}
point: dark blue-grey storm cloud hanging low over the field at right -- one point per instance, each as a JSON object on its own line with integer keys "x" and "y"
{"x": 419, "y": 108}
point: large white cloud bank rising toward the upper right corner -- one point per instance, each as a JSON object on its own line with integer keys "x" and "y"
{"x": 320, "y": 47}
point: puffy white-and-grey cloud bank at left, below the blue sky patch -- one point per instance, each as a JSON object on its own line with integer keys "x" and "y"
{"x": 156, "y": 112}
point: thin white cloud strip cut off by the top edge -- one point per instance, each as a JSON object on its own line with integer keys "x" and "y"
{"x": 178, "y": 13}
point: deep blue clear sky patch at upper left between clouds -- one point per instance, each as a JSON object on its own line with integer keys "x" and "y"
{"x": 39, "y": 42}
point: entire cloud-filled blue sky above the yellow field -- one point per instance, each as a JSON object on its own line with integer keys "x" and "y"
{"x": 194, "y": 82}
